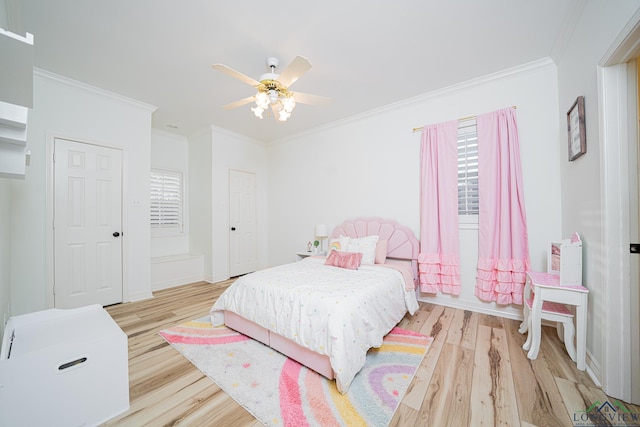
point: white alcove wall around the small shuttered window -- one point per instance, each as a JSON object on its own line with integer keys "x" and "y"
{"x": 171, "y": 152}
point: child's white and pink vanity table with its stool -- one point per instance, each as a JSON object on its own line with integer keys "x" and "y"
{"x": 546, "y": 296}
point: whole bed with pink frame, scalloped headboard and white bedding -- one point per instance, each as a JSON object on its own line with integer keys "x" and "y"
{"x": 327, "y": 317}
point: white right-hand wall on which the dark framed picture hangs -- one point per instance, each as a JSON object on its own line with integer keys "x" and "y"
{"x": 595, "y": 32}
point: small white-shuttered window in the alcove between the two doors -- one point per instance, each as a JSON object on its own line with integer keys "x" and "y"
{"x": 166, "y": 202}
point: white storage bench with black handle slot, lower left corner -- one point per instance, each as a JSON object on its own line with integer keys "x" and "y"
{"x": 63, "y": 368}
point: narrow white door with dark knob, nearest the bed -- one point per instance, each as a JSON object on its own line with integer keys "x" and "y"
{"x": 242, "y": 222}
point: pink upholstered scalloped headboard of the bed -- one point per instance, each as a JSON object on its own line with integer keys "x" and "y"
{"x": 402, "y": 243}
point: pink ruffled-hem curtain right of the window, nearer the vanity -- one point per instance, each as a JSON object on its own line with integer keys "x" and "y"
{"x": 503, "y": 248}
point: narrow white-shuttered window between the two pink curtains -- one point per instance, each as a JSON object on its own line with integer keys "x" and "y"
{"x": 468, "y": 207}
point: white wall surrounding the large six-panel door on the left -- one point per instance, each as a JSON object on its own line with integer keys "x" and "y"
{"x": 66, "y": 108}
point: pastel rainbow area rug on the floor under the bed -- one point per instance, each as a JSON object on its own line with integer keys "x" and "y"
{"x": 280, "y": 392}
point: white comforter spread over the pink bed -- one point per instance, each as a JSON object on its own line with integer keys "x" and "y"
{"x": 332, "y": 311}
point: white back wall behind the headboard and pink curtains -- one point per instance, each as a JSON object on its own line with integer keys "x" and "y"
{"x": 369, "y": 166}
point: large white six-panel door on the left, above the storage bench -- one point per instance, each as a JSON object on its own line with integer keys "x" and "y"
{"x": 87, "y": 224}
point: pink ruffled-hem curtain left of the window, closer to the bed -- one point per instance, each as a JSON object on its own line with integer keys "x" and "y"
{"x": 439, "y": 258}
